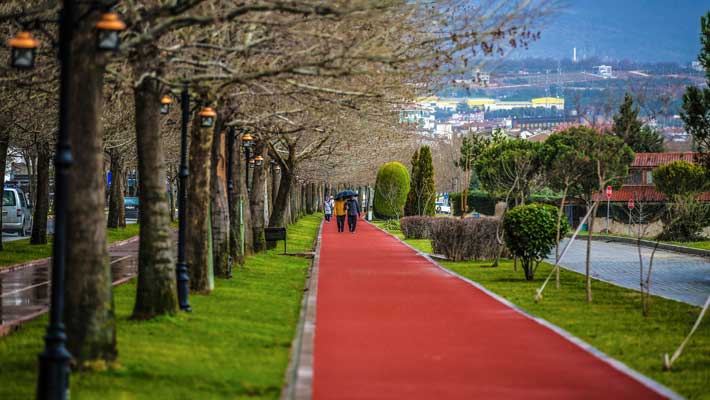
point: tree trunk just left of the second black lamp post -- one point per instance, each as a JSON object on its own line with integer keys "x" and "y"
{"x": 156, "y": 293}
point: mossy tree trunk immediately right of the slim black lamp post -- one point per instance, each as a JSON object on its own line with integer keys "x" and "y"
{"x": 198, "y": 202}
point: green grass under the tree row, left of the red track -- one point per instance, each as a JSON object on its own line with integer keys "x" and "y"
{"x": 234, "y": 345}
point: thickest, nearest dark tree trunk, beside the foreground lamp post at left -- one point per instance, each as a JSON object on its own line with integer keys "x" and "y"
{"x": 89, "y": 308}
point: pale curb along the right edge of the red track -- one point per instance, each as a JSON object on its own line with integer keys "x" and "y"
{"x": 616, "y": 364}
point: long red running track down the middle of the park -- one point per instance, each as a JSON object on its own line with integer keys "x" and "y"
{"x": 391, "y": 325}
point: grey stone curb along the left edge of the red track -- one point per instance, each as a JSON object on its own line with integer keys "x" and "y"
{"x": 299, "y": 374}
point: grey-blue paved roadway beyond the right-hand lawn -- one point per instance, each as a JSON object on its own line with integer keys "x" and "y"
{"x": 675, "y": 276}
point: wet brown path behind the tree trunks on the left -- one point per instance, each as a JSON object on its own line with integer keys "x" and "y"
{"x": 25, "y": 291}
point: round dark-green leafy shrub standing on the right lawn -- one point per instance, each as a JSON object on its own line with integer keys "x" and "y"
{"x": 531, "y": 234}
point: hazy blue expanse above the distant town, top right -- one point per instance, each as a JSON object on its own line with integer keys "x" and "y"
{"x": 639, "y": 30}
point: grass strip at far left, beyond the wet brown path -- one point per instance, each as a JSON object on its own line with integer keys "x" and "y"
{"x": 19, "y": 251}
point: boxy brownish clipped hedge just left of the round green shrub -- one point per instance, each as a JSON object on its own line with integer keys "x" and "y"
{"x": 464, "y": 239}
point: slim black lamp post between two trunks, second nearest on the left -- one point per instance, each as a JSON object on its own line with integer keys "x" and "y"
{"x": 181, "y": 266}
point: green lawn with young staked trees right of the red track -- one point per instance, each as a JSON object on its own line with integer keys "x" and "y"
{"x": 612, "y": 323}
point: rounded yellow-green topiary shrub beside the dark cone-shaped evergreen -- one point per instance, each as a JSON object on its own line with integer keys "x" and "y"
{"x": 391, "y": 189}
